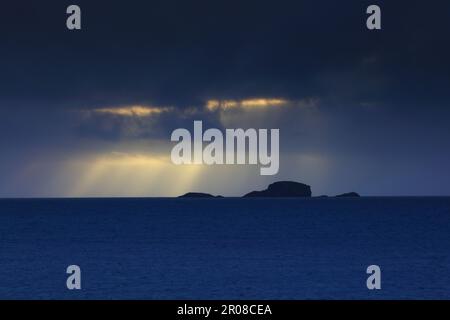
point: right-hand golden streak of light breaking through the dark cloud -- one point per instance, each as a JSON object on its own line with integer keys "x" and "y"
{"x": 213, "y": 105}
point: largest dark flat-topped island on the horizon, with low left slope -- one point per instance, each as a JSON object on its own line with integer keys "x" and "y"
{"x": 283, "y": 189}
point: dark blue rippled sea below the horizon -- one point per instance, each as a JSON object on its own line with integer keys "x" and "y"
{"x": 225, "y": 248}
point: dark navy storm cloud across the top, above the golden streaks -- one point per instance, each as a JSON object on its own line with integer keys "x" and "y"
{"x": 183, "y": 52}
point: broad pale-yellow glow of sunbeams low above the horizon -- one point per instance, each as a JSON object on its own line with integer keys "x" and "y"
{"x": 120, "y": 174}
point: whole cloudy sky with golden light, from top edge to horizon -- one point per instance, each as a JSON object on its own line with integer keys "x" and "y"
{"x": 89, "y": 113}
